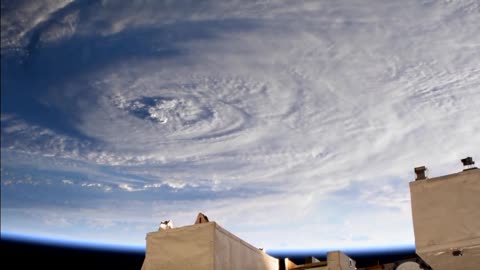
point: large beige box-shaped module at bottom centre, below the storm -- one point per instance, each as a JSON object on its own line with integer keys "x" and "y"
{"x": 205, "y": 246}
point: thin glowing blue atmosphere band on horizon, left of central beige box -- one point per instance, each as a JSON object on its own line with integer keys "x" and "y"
{"x": 32, "y": 239}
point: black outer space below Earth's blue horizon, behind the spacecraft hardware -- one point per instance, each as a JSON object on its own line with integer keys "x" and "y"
{"x": 29, "y": 255}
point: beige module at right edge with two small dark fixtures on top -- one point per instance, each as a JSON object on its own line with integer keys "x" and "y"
{"x": 446, "y": 218}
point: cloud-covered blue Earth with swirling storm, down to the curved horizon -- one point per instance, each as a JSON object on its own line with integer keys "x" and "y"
{"x": 116, "y": 116}
